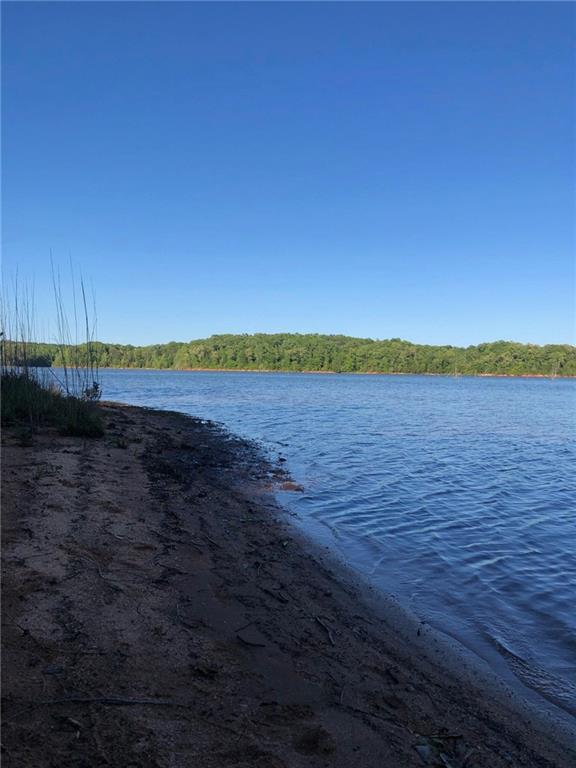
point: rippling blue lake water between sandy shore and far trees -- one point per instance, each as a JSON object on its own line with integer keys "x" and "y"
{"x": 455, "y": 494}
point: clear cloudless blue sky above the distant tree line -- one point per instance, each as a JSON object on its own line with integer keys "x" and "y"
{"x": 374, "y": 169}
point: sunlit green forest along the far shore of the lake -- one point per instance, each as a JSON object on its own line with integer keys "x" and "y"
{"x": 314, "y": 352}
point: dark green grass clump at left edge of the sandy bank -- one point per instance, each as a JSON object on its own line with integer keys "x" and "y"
{"x": 29, "y": 401}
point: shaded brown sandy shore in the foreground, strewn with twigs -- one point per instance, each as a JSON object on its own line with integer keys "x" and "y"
{"x": 150, "y": 567}
